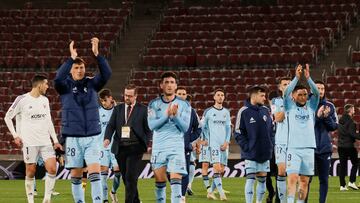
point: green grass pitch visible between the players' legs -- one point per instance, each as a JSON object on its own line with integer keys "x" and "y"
{"x": 13, "y": 191}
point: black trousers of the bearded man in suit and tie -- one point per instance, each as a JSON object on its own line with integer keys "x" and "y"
{"x": 129, "y": 163}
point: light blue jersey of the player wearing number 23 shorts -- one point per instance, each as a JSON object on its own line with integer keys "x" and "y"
{"x": 216, "y": 126}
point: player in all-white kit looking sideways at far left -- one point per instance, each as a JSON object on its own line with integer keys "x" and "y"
{"x": 34, "y": 128}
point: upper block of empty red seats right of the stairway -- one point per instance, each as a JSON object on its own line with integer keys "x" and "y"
{"x": 235, "y": 35}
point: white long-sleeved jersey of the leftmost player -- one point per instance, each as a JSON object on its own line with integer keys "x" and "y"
{"x": 33, "y": 120}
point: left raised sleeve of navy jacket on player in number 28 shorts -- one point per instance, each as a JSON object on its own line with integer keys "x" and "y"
{"x": 61, "y": 75}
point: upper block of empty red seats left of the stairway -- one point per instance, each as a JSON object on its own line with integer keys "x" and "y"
{"x": 34, "y": 38}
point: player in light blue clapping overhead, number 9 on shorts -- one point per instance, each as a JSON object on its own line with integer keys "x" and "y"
{"x": 300, "y": 111}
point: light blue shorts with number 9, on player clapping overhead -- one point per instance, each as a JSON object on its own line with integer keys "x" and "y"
{"x": 300, "y": 161}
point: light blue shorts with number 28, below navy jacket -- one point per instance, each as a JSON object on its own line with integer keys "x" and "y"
{"x": 79, "y": 149}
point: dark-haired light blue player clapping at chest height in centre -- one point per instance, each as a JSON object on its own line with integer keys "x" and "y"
{"x": 168, "y": 118}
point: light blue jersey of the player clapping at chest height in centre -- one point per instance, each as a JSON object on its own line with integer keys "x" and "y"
{"x": 168, "y": 132}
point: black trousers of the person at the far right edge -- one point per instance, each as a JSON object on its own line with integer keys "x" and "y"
{"x": 344, "y": 154}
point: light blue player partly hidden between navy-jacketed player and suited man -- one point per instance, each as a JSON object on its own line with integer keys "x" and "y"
{"x": 107, "y": 159}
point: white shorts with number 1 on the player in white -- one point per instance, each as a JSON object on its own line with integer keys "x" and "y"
{"x": 32, "y": 153}
